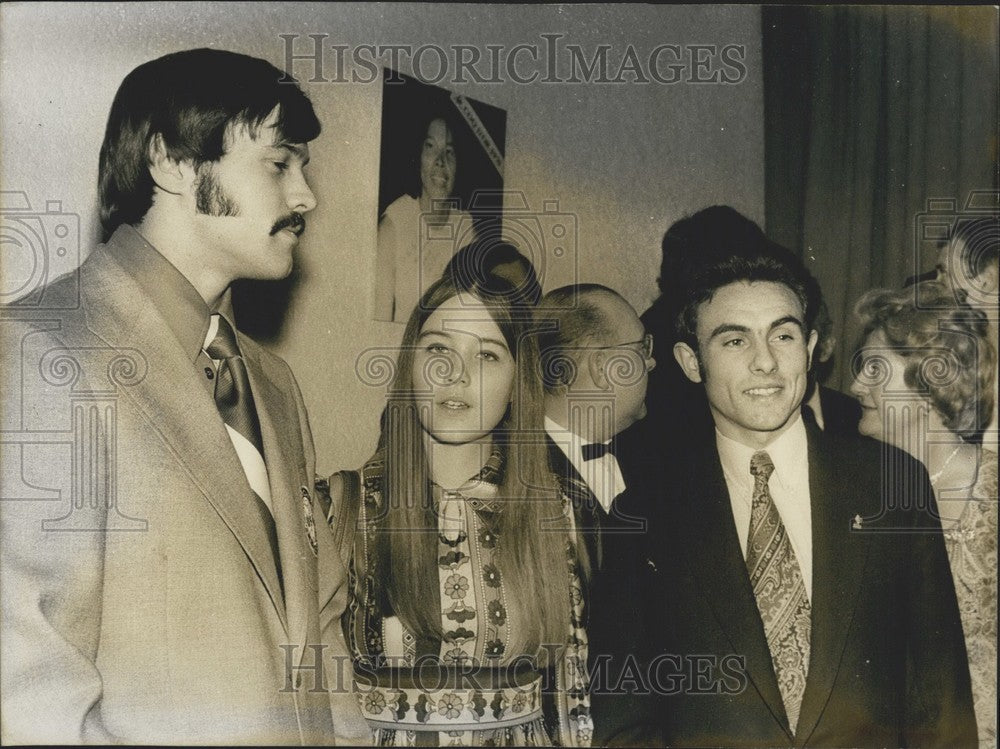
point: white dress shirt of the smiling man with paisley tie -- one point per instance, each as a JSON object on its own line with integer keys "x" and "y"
{"x": 789, "y": 485}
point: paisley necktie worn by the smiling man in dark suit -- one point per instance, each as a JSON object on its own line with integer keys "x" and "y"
{"x": 779, "y": 589}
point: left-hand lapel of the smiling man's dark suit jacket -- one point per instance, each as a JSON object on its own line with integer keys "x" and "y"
{"x": 706, "y": 530}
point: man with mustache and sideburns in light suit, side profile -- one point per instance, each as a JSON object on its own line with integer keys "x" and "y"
{"x": 185, "y": 595}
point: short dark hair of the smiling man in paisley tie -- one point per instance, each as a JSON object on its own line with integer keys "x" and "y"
{"x": 772, "y": 263}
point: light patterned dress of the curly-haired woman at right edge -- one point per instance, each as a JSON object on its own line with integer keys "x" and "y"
{"x": 972, "y": 553}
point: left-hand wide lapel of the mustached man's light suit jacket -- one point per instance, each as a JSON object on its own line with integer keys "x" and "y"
{"x": 176, "y": 405}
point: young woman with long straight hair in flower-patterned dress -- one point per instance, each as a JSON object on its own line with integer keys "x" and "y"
{"x": 468, "y": 588}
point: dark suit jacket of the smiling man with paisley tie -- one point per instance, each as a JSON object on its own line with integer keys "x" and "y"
{"x": 888, "y": 662}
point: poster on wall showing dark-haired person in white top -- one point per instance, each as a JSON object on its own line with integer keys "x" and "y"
{"x": 440, "y": 186}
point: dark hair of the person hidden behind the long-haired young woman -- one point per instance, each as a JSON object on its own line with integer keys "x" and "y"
{"x": 481, "y": 263}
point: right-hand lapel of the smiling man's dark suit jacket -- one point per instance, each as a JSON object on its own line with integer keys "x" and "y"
{"x": 839, "y": 559}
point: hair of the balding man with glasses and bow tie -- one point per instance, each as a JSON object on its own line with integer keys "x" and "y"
{"x": 567, "y": 319}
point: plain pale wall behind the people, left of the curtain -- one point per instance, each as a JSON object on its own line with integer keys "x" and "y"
{"x": 624, "y": 159}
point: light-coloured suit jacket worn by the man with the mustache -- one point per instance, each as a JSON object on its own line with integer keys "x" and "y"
{"x": 140, "y": 596}
